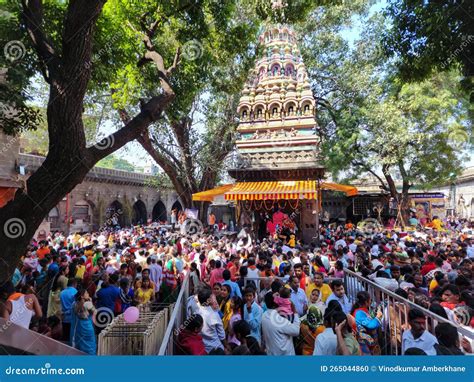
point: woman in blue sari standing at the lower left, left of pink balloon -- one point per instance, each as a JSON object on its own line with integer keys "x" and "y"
{"x": 82, "y": 328}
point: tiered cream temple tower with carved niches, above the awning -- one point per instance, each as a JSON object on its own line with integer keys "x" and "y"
{"x": 277, "y": 133}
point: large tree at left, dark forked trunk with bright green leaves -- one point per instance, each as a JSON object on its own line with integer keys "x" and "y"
{"x": 83, "y": 49}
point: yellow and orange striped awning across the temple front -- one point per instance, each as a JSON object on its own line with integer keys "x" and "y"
{"x": 276, "y": 190}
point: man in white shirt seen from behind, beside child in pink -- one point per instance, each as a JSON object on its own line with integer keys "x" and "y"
{"x": 278, "y": 331}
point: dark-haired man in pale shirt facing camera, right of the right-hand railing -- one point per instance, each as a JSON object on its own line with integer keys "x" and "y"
{"x": 418, "y": 336}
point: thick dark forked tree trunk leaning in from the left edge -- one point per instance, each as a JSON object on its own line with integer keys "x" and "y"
{"x": 68, "y": 160}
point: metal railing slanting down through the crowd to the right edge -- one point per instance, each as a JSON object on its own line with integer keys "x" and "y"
{"x": 395, "y": 312}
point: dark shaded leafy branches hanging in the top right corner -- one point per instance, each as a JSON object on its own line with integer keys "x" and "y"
{"x": 430, "y": 36}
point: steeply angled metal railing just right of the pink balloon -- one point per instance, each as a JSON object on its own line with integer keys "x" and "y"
{"x": 178, "y": 316}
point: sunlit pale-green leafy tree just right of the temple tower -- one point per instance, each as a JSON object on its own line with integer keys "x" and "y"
{"x": 372, "y": 122}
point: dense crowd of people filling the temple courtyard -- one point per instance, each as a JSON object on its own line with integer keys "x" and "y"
{"x": 273, "y": 296}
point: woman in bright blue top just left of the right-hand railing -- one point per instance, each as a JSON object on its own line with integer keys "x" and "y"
{"x": 366, "y": 325}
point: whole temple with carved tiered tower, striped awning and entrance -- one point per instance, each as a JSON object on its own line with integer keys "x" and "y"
{"x": 278, "y": 170}
